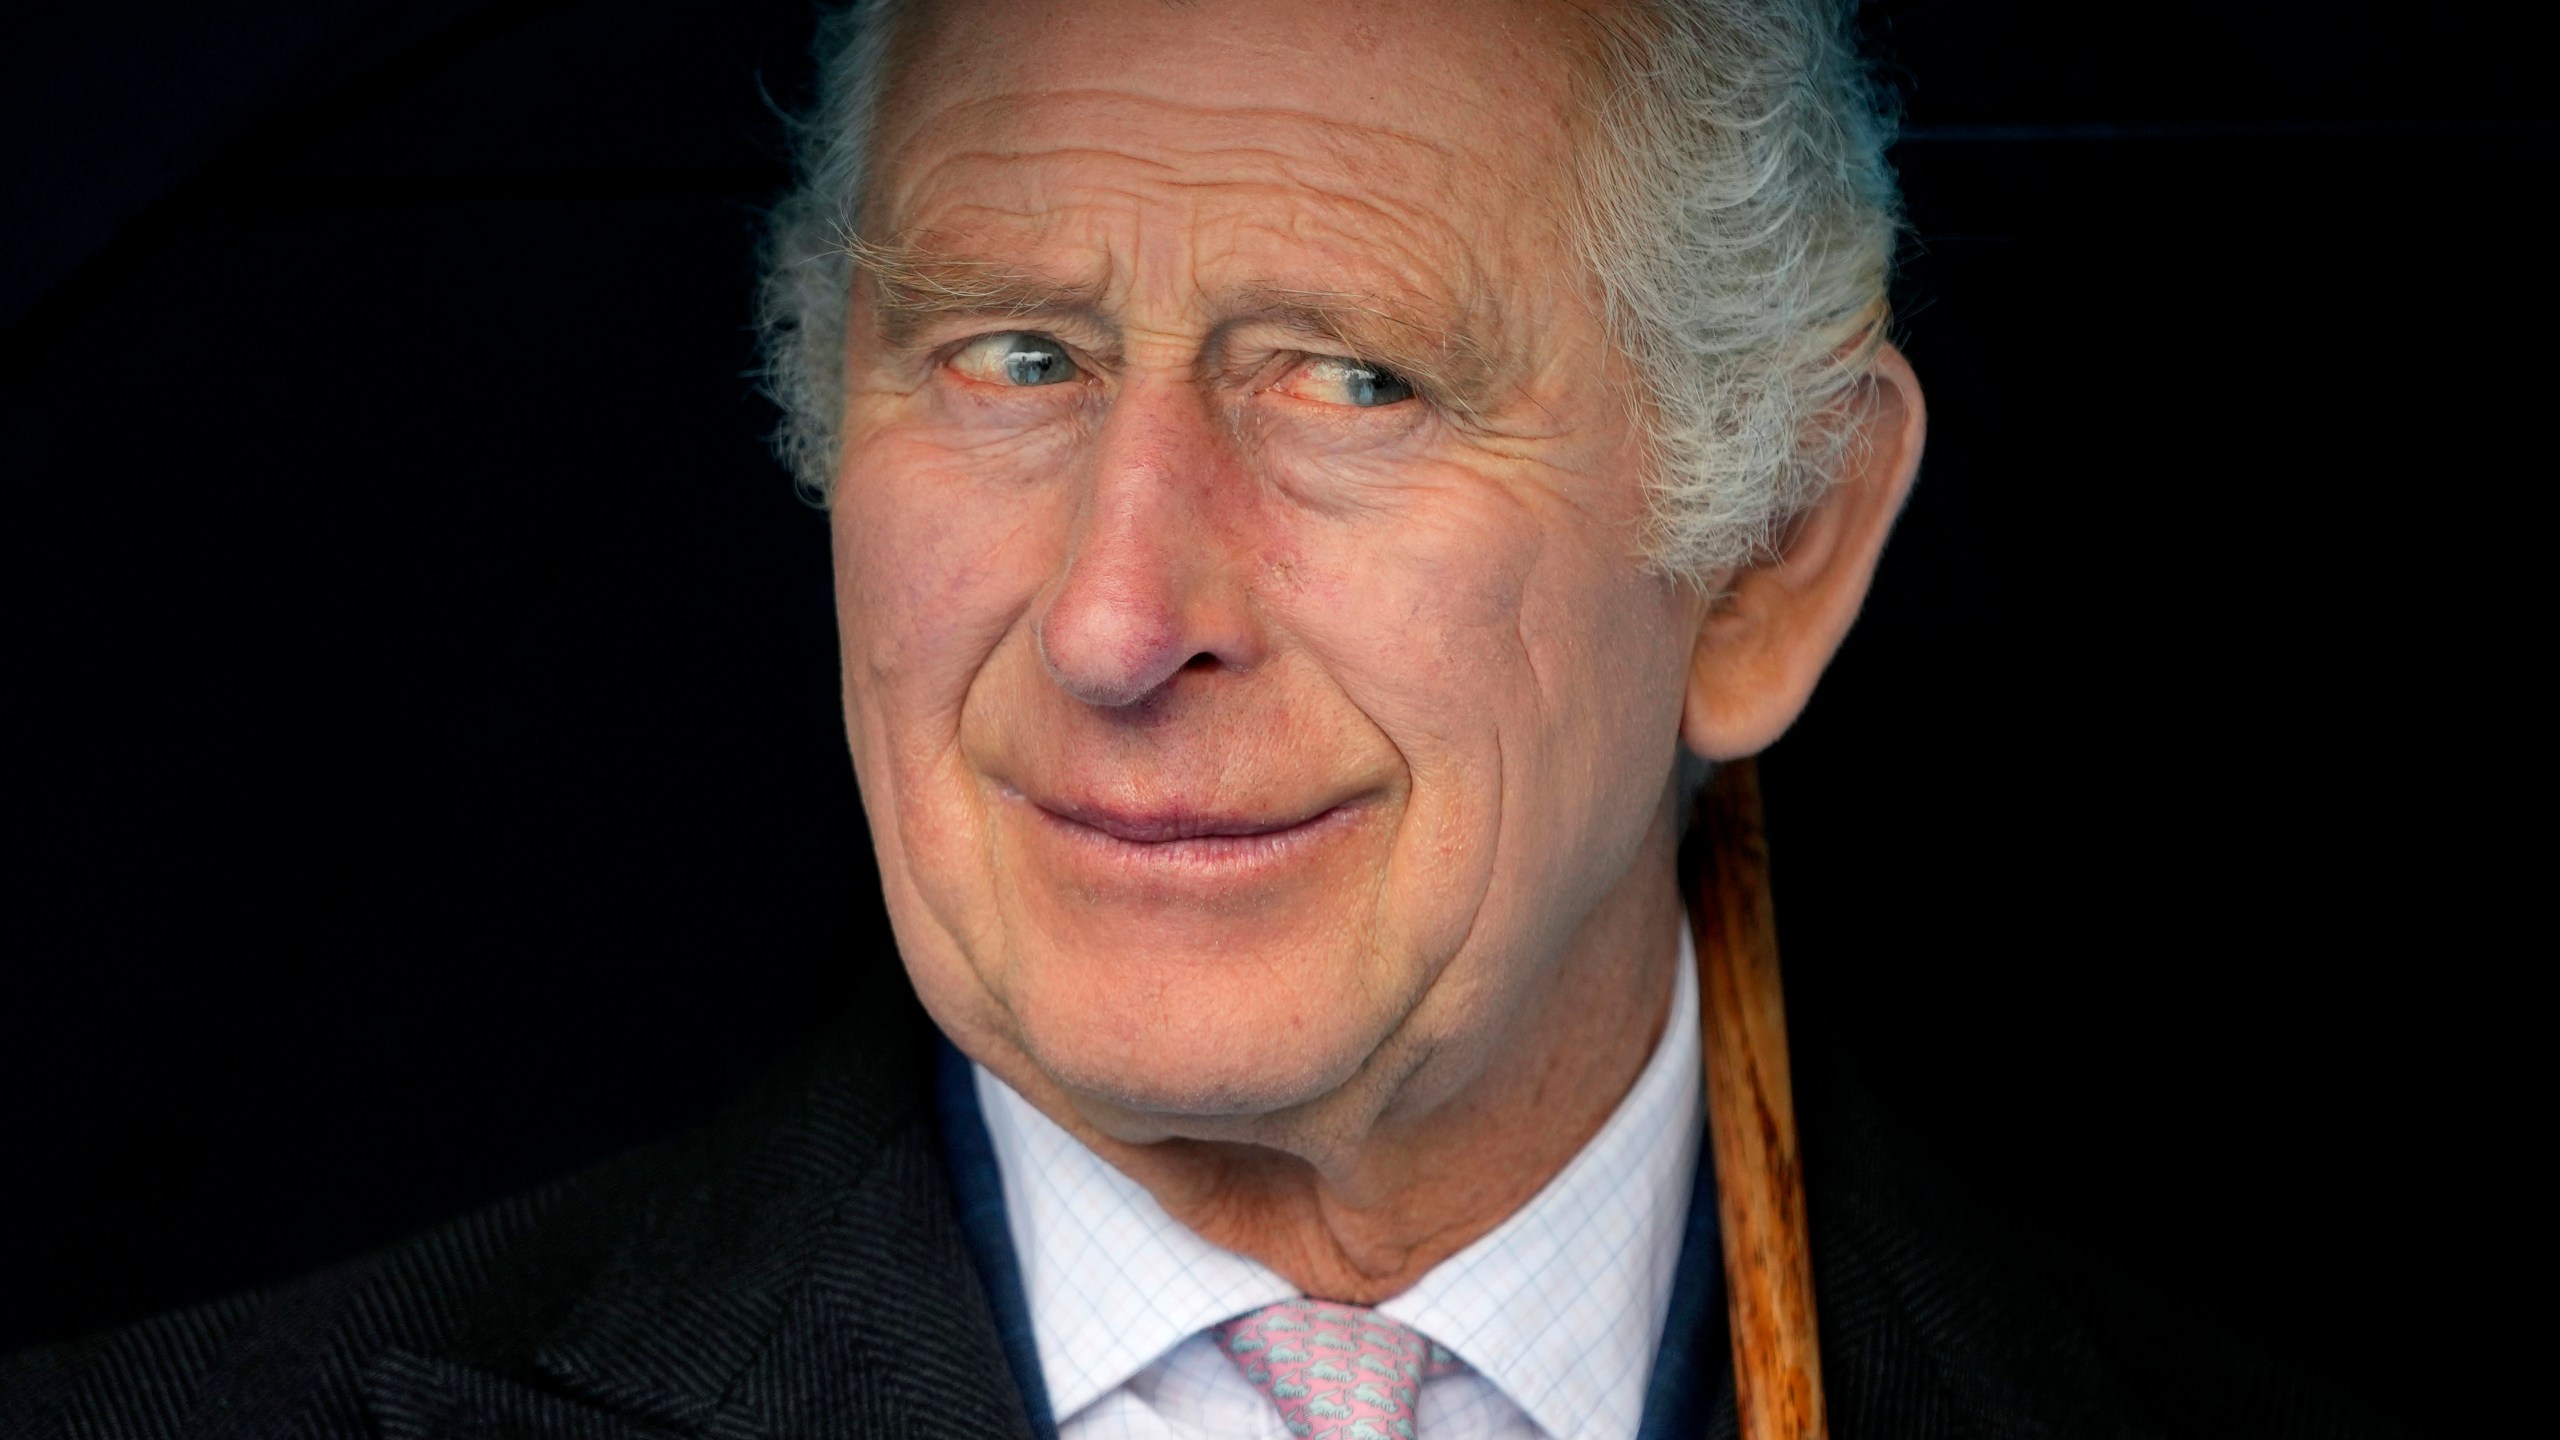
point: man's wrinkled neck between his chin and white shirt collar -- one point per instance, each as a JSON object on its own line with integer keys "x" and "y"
{"x": 1361, "y": 1193}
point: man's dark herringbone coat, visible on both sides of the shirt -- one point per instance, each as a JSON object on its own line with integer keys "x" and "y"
{"x": 800, "y": 1270}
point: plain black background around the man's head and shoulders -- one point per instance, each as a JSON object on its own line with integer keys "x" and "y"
{"x": 424, "y": 767}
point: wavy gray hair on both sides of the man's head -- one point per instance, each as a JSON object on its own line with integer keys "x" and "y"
{"x": 1734, "y": 204}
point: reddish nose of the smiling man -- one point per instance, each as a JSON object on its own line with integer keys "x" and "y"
{"x": 1153, "y": 583}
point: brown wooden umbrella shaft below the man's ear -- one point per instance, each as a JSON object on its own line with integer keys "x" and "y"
{"x": 1760, "y": 1182}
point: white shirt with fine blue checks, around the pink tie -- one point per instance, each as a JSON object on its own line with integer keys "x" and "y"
{"x": 1555, "y": 1313}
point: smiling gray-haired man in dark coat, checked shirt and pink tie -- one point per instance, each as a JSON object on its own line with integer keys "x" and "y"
{"x": 1312, "y": 488}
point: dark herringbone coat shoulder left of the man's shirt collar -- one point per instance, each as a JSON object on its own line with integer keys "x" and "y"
{"x": 641, "y": 1298}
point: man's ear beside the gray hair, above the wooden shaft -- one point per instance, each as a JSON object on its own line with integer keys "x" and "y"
{"x": 1765, "y": 644}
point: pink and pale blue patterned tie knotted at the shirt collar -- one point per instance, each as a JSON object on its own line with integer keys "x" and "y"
{"x": 1338, "y": 1372}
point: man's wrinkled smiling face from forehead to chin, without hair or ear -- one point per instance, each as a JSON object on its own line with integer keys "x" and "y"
{"x": 1251, "y": 662}
